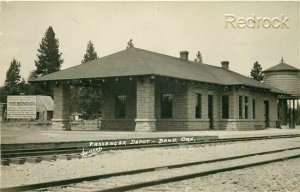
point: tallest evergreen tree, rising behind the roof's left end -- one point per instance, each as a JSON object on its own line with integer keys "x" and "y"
{"x": 48, "y": 61}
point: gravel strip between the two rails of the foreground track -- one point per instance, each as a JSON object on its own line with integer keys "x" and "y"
{"x": 169, "y": 173}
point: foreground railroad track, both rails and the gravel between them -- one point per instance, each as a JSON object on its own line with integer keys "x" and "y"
{"x": 136, "y": 179}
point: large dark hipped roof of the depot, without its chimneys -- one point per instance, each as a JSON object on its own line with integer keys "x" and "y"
{"x": 134, "y": 61}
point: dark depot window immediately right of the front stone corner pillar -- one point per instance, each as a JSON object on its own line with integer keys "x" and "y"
{"x": 166, "y": 105}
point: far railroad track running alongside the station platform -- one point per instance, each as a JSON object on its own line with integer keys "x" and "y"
{"x": 35, "y": 155}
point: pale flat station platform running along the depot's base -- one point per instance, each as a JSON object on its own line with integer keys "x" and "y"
{"x": 11, "y": 135}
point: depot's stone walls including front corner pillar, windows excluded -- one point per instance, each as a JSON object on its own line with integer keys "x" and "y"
{"x": 143, "y": 106}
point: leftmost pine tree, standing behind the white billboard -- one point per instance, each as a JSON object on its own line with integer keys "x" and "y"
{"x": 13, "y": 77}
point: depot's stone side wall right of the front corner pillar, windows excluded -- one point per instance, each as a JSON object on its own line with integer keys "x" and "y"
{"x": 184, "y": 108}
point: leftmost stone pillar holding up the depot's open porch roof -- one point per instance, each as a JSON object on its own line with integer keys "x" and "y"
{"x": 61, "y": 115}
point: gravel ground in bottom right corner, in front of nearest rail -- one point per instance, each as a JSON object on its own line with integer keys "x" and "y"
{"x": 280, "y": 176}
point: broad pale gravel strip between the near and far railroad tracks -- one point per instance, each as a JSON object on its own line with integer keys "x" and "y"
{"x": 117, "y": 161}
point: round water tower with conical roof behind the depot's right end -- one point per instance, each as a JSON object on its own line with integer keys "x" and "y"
{"x": 286, "y": 78}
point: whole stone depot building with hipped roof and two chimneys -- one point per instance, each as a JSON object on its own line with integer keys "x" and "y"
{"x": 148, "y": 91}
